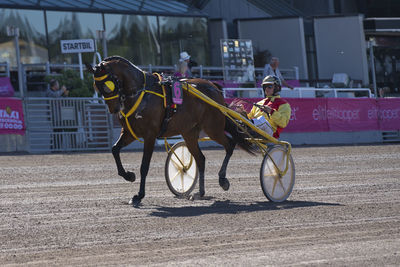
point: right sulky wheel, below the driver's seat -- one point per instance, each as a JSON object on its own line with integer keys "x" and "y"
{"x": 277, "y": 187}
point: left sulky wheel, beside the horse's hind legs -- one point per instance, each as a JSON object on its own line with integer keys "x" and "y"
{"x": 181, "y": 171}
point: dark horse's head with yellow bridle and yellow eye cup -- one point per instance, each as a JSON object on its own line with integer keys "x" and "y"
{"x": 116, "y": 79}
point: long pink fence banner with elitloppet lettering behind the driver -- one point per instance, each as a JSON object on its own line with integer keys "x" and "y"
{"x": 341, "y": 114}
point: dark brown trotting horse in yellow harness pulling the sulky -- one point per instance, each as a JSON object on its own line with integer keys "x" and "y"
{"x": 139, "y": 97}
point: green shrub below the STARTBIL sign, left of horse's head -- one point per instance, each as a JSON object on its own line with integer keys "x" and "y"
{"x": 72, "y": 81}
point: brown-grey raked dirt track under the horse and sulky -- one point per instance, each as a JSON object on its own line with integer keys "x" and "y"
{"x": 72, "y": 210}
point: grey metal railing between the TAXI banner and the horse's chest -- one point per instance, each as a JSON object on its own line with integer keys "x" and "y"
{"x": 67, "y": 124}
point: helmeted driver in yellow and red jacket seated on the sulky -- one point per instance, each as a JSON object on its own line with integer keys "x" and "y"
{"x": 272, "y": 114}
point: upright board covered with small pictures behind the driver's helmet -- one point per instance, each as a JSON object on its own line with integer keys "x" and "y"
{"x": 237, "y": 60}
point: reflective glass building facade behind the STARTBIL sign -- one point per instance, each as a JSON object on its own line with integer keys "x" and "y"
{"x": 144, "y": 39}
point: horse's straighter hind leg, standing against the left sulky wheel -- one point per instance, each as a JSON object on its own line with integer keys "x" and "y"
{"x": 192, "y": 144}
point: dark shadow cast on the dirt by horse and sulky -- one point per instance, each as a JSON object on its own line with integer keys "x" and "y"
{"x": 230, "y": 207}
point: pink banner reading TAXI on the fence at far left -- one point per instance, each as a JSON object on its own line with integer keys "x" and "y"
{"x": 11, "y": 116}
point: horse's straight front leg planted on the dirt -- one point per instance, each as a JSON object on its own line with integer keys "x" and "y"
{"x": 144, "y": 169}
